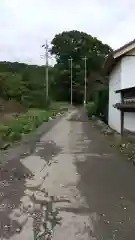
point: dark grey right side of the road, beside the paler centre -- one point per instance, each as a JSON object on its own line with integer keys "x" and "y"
{"x": 108, "y": 184}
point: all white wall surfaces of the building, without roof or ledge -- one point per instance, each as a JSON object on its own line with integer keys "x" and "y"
{"x": 122, "y": 76}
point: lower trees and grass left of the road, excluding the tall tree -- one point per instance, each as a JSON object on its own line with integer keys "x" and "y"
{"x": 22, "y": 94}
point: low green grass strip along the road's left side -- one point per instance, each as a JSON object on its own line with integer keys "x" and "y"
{"x": 14, "y": 128}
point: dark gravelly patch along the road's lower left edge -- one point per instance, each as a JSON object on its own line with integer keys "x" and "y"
{"x": 12, "y": 179}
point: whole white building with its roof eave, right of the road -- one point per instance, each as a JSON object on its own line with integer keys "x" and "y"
{"x": 121, "y": 69}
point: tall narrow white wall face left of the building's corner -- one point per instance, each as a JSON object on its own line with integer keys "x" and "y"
{"x": 114, "y": 118}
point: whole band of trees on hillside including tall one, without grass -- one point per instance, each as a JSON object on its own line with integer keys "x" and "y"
{"x": 26, "y": 83}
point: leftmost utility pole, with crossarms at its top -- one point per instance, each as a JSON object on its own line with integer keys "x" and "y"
{"x": 45, "y": 46}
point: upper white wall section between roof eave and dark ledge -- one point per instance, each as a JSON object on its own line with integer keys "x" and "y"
{"x": 128, "y": 72}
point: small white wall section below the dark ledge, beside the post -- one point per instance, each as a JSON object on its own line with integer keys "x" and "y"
{"x": 129, "y": 121}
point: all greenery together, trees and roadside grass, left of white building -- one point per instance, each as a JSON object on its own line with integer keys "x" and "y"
{"x": 22, "y": 86}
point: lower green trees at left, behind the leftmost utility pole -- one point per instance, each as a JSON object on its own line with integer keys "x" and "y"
{"x": 24, "y": 83}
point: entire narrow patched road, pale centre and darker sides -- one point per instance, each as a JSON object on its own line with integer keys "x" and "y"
{"x": 73, "y": 186}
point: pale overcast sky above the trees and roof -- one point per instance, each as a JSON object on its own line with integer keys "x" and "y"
{"x": 26, "y": 24}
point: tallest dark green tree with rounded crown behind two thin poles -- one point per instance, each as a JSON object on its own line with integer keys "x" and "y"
{"x": 77, "y": 45}
